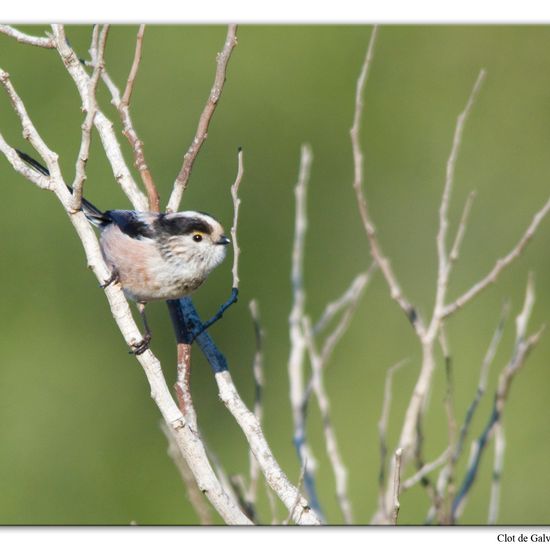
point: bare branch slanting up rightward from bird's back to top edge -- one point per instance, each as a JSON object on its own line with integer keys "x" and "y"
{"x": 182, "y": 180}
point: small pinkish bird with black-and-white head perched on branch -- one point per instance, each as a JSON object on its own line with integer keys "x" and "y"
{"x": 154, "y": 256}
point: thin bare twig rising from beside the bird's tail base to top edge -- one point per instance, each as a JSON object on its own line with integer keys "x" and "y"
{"x": 98, "y": 51}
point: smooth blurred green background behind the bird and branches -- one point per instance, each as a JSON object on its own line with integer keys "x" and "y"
{"x": 79, "y": 435}
